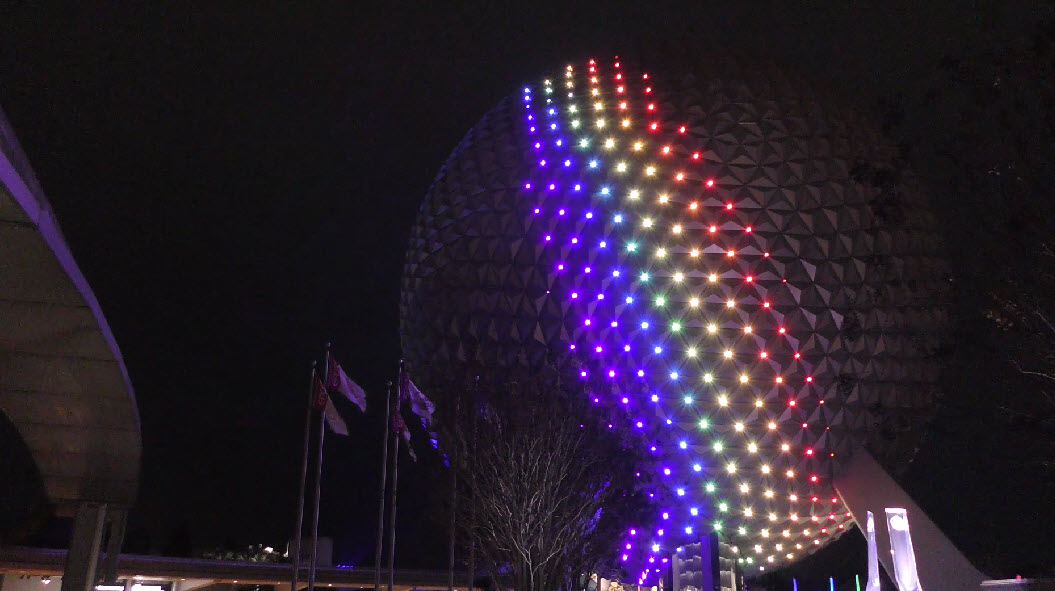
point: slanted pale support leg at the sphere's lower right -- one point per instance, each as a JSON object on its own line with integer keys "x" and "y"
{"x": 865, "y": 486}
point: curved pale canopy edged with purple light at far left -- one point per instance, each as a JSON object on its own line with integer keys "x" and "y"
{"x": 63, "y": 380}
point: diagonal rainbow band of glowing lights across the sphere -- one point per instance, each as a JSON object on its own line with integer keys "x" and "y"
{"x": 681, "y": 301}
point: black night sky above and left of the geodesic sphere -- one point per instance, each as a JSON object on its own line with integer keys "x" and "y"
{"x": 238, "y": 185}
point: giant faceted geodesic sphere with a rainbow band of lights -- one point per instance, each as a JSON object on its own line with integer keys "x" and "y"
{"x": 696, "y": 240}
